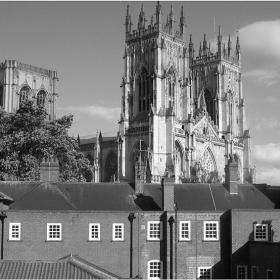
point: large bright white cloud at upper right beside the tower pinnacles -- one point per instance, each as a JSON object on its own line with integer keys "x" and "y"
{"x": 262, "y": 37}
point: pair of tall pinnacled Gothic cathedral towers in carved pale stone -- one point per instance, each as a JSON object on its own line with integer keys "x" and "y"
{"x": 188, "y": 111}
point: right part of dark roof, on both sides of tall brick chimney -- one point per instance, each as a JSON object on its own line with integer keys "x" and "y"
{"x": 208, "y": 197}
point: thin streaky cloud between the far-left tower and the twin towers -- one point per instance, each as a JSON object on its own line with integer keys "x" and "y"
{"x": 95, "y": 111}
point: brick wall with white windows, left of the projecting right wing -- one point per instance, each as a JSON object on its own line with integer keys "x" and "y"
{"x": 115, "y": 256}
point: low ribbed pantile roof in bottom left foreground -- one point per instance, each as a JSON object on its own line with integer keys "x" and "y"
{"x": 68, "y": 268}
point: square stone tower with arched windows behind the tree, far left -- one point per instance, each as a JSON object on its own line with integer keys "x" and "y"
{"x": 20, "y": 81}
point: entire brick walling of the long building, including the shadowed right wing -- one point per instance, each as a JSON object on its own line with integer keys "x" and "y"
{"x": 182, "y": 259}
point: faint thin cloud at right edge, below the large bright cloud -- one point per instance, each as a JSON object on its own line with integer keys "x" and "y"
{"x": 264, "y": 76}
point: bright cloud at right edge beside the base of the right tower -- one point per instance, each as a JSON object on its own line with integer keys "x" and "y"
{"x": 267, "y": 154}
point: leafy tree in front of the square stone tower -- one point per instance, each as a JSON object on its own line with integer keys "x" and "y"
{"x": 26, "y": 138}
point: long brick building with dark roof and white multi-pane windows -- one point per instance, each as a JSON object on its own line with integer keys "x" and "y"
{"x": 211, "y": 232}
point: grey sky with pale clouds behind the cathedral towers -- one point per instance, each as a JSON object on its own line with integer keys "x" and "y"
{"x": 84, "y": 42}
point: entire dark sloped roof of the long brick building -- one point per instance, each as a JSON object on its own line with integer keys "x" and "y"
{"x": 121, "y": 197}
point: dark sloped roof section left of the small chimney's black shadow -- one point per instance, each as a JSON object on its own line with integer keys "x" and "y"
{"x": 69, "y": 196}
